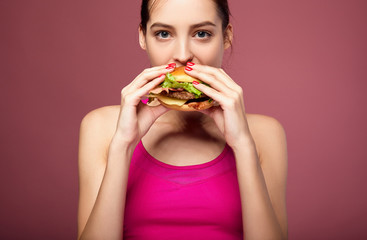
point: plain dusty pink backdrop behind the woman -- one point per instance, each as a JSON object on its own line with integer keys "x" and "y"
{"x": 303, "y": 62}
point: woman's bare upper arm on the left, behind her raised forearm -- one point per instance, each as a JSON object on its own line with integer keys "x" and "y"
{"x": 94, "y": 138}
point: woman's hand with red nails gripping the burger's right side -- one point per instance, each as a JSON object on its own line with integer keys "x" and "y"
{"x": 230, "y": 115}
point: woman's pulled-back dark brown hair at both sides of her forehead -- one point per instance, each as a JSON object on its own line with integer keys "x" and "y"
{"x": 222, "y": 9}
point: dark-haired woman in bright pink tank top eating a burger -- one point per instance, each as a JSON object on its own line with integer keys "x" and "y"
{"x": 151, "y": 173}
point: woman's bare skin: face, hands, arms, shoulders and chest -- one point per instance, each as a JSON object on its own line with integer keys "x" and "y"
{"x": 109, "y": 135}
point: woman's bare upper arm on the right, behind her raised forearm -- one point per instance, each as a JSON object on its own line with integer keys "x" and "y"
{"x": 271, "y": 142}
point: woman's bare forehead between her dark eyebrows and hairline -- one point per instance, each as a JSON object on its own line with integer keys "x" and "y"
{"x": 183, "y": 11}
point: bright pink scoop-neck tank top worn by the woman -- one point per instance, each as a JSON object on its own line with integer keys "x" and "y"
{"x": 182, "y": 202}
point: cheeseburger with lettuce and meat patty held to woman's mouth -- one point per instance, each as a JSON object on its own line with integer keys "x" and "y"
{"x": 177, "y": 92}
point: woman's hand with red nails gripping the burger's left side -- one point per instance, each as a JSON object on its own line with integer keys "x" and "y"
{"x": 136, "y": 118}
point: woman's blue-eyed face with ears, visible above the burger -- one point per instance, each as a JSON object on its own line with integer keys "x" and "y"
{"x": 180, "y": 31}
